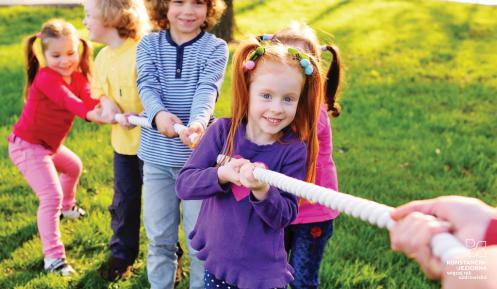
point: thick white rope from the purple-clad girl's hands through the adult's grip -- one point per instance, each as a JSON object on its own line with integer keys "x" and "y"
{"x": 445, "y": 246}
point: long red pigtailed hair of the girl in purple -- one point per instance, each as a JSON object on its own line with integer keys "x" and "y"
{"x": 304, "y": 123}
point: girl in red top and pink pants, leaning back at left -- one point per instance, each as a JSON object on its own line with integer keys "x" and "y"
{"x": 55, "y": 94}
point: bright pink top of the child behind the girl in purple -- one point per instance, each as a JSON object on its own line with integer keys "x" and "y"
{"x": 326, "y": 175}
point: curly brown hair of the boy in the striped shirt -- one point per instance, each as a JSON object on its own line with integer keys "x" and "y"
{"x": 157, "y": 12}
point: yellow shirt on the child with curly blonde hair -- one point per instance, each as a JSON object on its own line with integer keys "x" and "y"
{"x": 115, "y": 76}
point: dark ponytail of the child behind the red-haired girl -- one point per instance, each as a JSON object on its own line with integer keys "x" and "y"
{"x": 332, "y": 82}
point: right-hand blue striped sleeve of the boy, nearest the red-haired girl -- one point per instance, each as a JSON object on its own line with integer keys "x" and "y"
{"x": 209, "y": 84}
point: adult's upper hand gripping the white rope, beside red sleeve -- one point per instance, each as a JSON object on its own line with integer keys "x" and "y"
{"x": 466, "y": 218}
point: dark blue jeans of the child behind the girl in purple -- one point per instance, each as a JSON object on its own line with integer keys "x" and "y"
{"x": 305, "y": 244}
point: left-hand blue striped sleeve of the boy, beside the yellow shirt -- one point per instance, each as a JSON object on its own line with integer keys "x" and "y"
{"x": 148, "y": 81}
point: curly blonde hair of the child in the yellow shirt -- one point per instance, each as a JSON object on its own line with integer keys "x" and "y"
{"x": 129, "y": 17}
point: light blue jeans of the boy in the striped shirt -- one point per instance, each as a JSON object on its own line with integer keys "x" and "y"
{"x": 161, "y": 216}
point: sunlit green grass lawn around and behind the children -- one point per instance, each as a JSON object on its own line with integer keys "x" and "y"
{"x": 418, "y": 121}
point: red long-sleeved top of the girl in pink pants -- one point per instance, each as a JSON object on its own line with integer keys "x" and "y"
{"x": 50, "y": 108}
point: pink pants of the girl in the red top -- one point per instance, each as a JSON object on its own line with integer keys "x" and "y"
{"x": 40, "y": 168}
